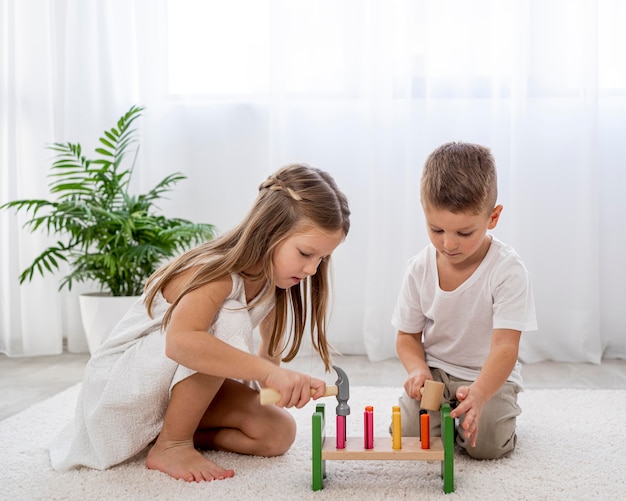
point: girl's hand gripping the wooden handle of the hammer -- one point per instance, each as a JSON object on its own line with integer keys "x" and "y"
{"x": 295, "y": 388}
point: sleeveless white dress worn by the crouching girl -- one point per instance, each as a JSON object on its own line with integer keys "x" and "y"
{"x": 128, "y": 379}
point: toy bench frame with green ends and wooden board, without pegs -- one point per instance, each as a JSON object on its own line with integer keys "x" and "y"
{"x": 441, "y": 449}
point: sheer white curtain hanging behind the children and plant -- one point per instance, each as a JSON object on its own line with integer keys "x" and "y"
{"x": 364, "y": 89}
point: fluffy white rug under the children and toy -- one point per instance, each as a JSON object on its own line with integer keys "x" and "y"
{"x": 571, "y": 446}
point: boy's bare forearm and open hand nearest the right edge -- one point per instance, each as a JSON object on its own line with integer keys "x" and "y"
{"x": 496, "y": 370}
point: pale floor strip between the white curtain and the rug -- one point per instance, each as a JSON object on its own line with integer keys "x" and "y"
{"x": 26, "y": 381}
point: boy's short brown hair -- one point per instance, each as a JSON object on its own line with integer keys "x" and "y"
{"x": 460, "y": 177}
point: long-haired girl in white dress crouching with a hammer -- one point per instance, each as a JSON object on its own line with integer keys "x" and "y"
{"x": 178, "y": 369}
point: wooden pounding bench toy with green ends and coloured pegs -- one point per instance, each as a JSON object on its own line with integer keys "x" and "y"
{"x": 386, "y": 448}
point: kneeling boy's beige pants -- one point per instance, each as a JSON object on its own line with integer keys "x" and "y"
{"x": 496, "y": 428}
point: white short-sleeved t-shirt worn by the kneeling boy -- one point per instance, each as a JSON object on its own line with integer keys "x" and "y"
{"x": 457, "y": 325}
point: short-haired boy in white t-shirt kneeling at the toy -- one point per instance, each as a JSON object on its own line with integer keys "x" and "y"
{"x": 463, "y": 305}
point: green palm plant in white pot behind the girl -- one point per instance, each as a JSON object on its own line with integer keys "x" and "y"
{"x": 106, "y": 234}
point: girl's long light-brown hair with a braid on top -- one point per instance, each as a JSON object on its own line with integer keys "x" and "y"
{"x": 293, "y": 197}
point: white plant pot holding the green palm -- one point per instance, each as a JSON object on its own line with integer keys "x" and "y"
{"x": 100, "y": 312}
